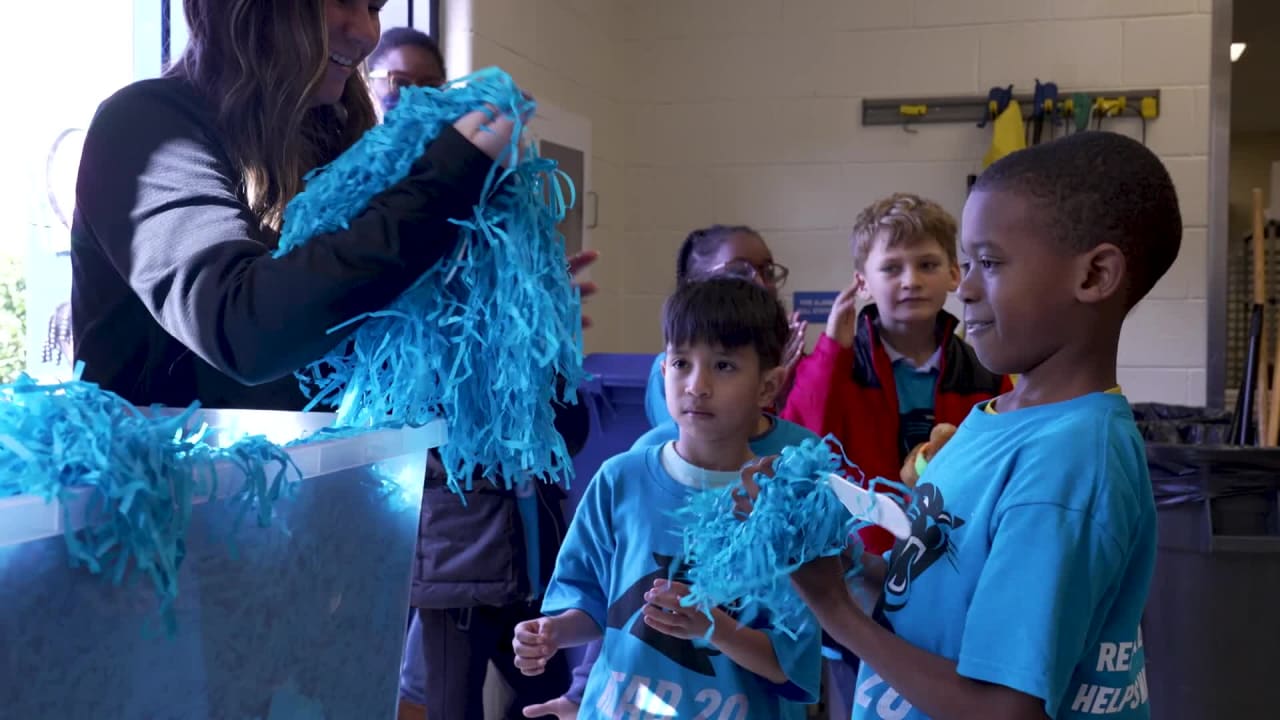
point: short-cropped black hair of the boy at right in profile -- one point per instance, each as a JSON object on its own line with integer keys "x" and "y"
{"x": 1099, "y": 188}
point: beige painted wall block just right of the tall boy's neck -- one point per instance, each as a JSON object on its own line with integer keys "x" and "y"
{"x": 1165, "y": 334}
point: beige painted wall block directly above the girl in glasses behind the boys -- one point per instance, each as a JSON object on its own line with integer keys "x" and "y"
{"x": 780, "y": 197}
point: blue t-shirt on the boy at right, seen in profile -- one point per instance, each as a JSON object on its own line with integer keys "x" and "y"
{"x": 1032, "y": 553}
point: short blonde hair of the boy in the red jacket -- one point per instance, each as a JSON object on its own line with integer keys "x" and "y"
{"x": 903, "y": 218}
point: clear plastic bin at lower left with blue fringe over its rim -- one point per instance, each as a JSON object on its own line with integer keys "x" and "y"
{"x": 304, "y": 619}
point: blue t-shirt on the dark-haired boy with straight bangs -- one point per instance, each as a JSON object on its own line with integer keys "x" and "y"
{"x": 621, "y": 540}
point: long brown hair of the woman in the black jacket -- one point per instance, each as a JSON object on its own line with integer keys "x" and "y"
{"x": 259, "y": 63}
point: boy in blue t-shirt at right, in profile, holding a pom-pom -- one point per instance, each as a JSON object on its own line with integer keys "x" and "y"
{"x": 1022, "y": 589}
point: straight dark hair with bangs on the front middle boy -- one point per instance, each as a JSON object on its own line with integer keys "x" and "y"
{"x": 729, "y": 313}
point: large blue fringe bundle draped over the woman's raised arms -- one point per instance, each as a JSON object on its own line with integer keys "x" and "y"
{"x": 478, "y": 340}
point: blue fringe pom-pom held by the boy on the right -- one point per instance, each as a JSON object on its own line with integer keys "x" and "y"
{"x": 744, "y": 564}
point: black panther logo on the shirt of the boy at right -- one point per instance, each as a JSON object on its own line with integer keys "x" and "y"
{"x": 931, "y": 540}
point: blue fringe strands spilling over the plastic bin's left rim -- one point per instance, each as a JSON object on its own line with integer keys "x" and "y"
{"x": 141, "y": 475}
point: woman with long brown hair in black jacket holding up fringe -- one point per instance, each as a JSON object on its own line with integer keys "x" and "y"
{"x": 181, "y": 195}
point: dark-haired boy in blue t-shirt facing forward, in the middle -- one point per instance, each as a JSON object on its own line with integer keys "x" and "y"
{"x": 619, "y": 571}
